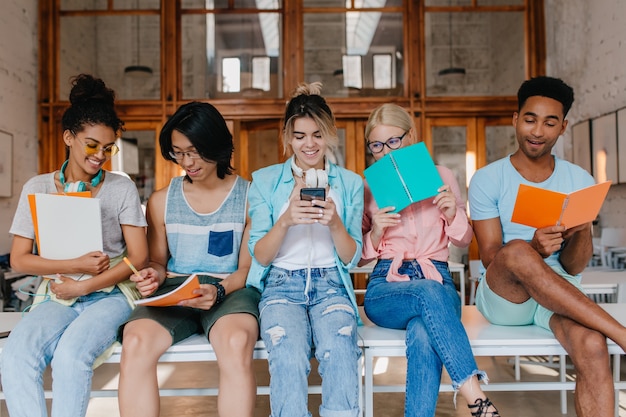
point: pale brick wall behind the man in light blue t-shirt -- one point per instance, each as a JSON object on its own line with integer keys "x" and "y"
{"x": 586, "y": 47}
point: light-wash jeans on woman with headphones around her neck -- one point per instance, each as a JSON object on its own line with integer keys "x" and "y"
{"x": 68, "y": 338}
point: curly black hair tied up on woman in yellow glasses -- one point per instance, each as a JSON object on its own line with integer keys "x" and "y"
{"x": 91, "y": 103}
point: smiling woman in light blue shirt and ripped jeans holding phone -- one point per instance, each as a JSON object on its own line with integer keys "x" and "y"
{"x": 302, "y": 253}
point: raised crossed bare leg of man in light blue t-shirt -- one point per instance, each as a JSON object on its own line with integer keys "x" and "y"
{"x": 518, "y": 272}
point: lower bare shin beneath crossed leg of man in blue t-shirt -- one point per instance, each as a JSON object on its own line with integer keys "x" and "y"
{"x": 594, "y": 395}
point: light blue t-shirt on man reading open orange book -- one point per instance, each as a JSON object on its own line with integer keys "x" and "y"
{"x": 493, "y": 190}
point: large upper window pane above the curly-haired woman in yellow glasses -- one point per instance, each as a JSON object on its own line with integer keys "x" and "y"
{"x": 122, "y": 50}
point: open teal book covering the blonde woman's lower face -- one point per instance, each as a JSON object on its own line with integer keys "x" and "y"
{"x": 403, "y": 177}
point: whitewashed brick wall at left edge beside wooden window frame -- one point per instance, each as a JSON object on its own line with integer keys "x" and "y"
{"x": 18, "y": 100}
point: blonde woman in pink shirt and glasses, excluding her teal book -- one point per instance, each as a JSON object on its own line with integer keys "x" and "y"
{"x": 411, "y": 286}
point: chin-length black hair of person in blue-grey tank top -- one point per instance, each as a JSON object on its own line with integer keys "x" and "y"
{"x": 207, "y": 131}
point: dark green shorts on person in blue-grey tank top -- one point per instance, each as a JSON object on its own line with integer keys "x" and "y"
{"x": 182, "y": 322}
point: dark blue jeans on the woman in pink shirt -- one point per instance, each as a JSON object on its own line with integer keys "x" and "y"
{"x": 430, "y": 312}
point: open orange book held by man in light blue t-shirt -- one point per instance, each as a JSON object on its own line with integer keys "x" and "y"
{"x": 538, "y": 207}
